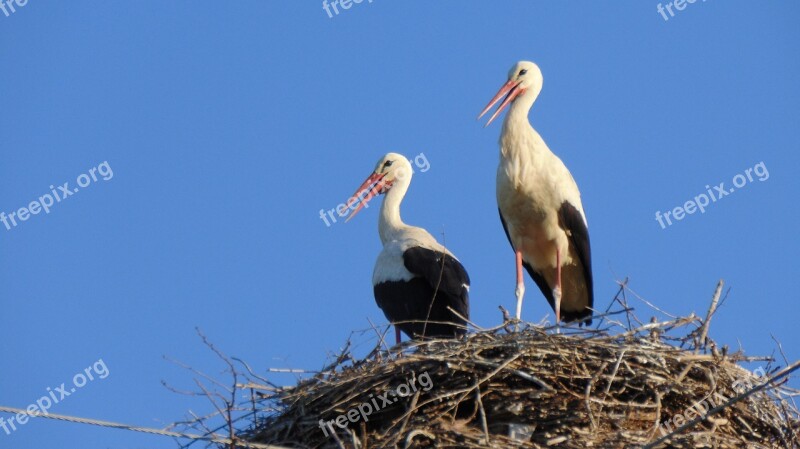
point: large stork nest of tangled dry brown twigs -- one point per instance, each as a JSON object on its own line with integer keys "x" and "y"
{"x": 536, "y": 388}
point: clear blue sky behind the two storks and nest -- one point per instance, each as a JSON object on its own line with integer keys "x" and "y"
{"x": 229, "y": 125}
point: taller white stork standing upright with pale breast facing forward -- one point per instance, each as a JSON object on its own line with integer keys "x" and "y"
{"x": 540, "y": 205}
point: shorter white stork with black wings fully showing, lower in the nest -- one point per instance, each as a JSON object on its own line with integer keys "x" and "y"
{"x": 417, "y": 282}
